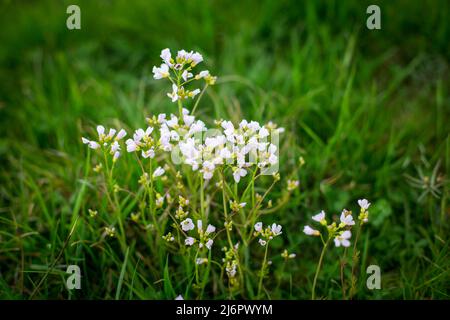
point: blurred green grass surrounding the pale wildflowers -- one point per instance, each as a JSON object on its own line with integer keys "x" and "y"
{"x": 367, "y": 110}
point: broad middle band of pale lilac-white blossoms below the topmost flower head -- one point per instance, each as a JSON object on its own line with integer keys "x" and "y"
{"x": 238, "y": 148}
